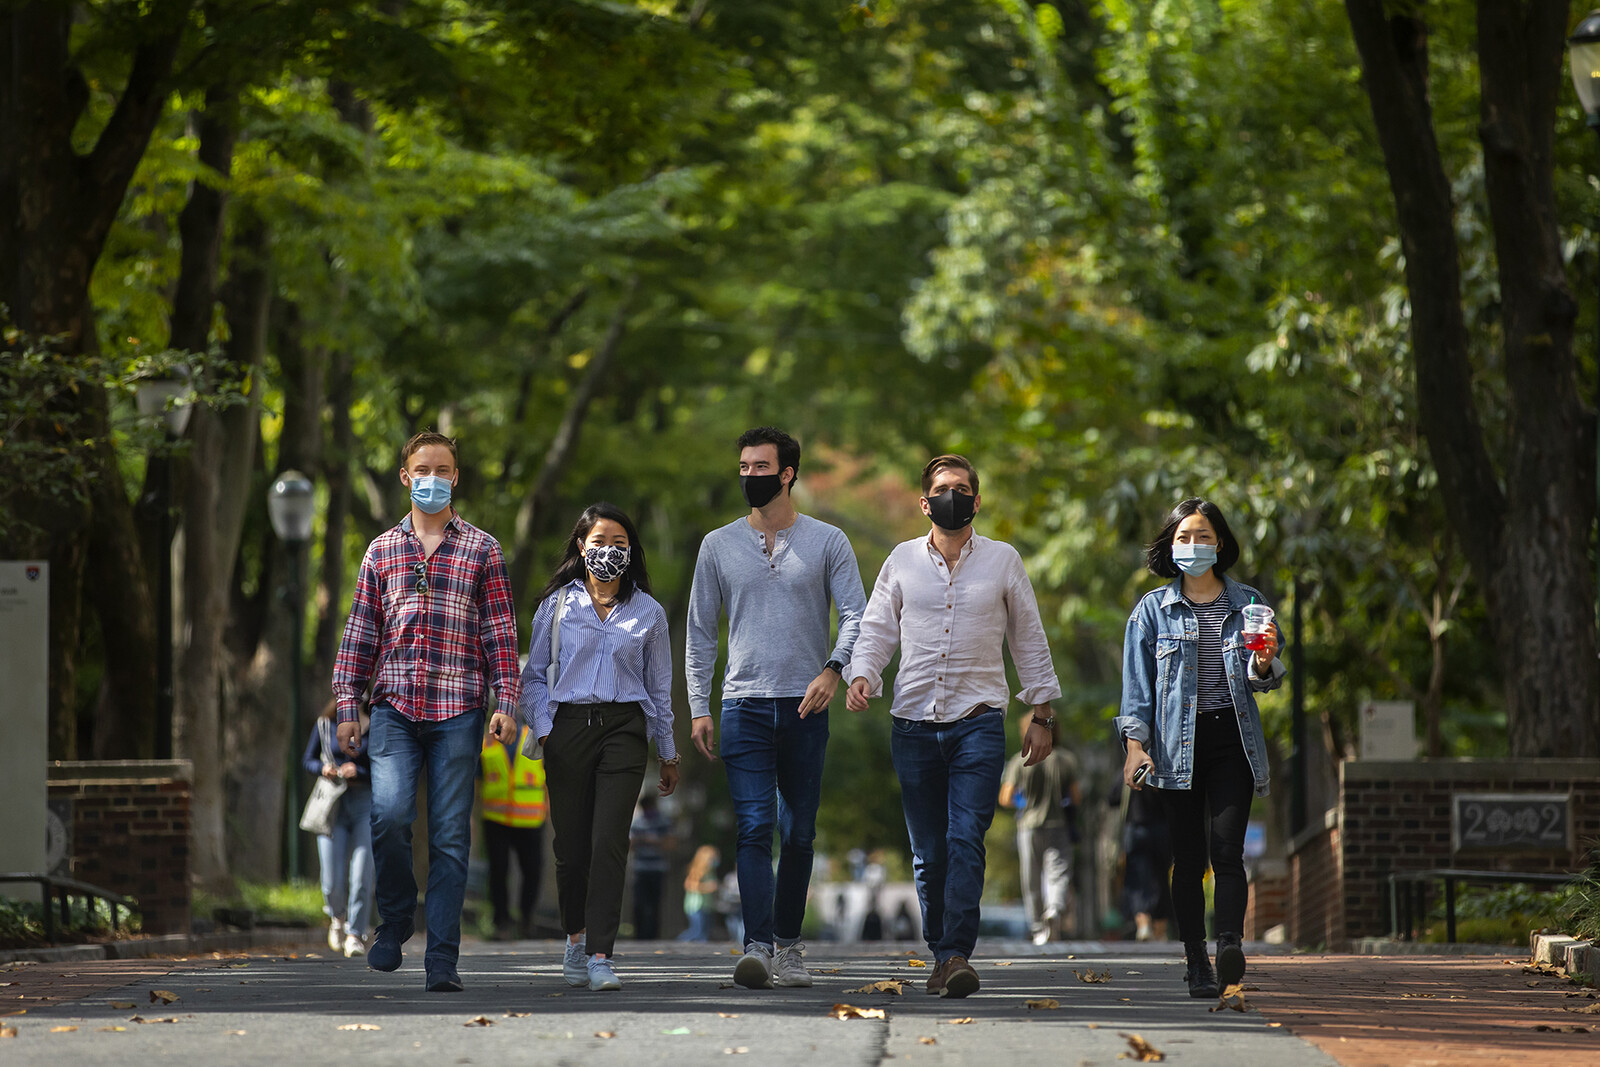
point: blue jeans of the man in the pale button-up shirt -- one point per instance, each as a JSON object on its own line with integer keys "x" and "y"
{"x": 950, "y": 778}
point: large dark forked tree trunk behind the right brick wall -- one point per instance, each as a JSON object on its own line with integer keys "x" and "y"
{"x": 1529, "y": 541}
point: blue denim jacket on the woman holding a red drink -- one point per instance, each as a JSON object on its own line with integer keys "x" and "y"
{"x": 1159, "y": 679}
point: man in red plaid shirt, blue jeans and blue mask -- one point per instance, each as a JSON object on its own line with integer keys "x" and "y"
{"x": 431, "y": 621}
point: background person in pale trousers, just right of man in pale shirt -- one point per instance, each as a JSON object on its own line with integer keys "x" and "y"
{"x": 1046, "y": 797}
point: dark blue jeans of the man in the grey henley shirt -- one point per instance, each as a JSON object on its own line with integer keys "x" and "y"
{"x": 775, "y": 780}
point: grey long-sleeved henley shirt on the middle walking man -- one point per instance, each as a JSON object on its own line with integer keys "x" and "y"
{"x": 778, "y": 609}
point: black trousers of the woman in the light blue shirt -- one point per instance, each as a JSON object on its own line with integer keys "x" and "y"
{"x": 594, "y": 764}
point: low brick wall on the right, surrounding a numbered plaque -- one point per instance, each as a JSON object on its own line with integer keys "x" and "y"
{"x": 1394, "y": 815}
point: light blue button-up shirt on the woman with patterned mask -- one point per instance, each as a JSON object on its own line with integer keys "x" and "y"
{"x": 625, "y": 658}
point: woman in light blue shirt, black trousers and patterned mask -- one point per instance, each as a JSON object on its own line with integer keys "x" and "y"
{"x": 594, "y": 706}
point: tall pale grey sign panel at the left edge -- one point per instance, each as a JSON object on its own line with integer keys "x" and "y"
{"x": 25, "y": 666}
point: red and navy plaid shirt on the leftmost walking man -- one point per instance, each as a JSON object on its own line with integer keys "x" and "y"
{"x": 428, "y": 650}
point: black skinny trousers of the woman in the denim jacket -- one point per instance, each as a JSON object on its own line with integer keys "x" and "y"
{"x": 1225, "y": 785}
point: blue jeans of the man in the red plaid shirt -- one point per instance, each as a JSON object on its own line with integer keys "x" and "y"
{"x": 401, "y": 749}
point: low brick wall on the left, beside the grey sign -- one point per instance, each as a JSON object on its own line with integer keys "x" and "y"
{"x": 130, "y": 833}
